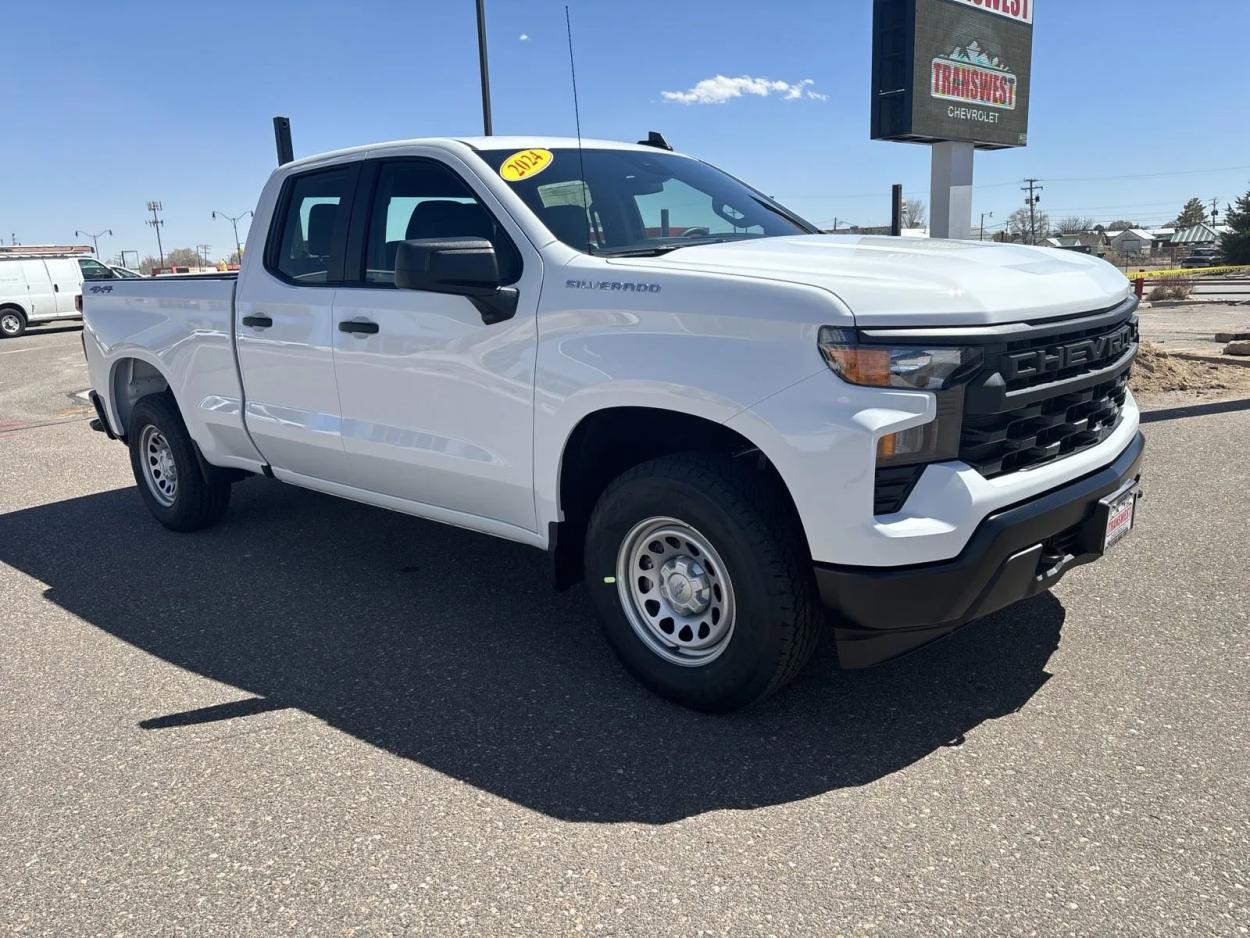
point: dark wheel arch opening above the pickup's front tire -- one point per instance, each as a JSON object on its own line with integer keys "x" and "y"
{"x": 608, "y": 442}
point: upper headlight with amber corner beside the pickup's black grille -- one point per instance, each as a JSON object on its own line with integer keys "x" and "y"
{"x": 908, "y": 367}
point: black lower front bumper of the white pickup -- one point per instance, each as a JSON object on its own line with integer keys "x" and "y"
{"x": 882, "y": 613}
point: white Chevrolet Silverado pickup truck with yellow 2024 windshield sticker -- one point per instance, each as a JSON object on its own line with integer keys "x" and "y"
{"x": 734, "y": 428}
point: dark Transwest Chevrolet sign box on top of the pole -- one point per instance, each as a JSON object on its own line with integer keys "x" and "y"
{"x": 952, "y": 71}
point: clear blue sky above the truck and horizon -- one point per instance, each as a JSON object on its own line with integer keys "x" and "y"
{"x": 107, "y": 107}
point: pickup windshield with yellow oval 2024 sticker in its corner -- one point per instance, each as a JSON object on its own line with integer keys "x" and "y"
{"x": 638, "y": 203}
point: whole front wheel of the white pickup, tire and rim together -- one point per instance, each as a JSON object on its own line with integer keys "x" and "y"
{"x": 702, "y": 582}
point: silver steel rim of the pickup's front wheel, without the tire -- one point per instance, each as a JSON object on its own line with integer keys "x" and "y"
{"x": 676, "y": 592}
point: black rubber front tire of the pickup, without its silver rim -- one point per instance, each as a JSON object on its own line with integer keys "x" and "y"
{"x": 777, "y": 616}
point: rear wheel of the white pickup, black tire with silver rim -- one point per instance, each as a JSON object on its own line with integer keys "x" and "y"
{"x": 199, "y": 495}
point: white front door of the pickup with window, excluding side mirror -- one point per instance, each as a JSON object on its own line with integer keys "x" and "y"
{"x": 438, "y": 406}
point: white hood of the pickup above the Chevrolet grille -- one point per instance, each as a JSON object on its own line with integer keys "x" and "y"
{"x": 917, "y": 281}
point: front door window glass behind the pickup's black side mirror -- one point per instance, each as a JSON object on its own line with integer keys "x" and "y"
{"x": 424, "y": 199}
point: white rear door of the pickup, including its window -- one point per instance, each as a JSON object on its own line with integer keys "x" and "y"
{"x": 286, "y": 332}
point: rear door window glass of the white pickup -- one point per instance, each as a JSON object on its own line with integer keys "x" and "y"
{"x": 308, "y": 227}
